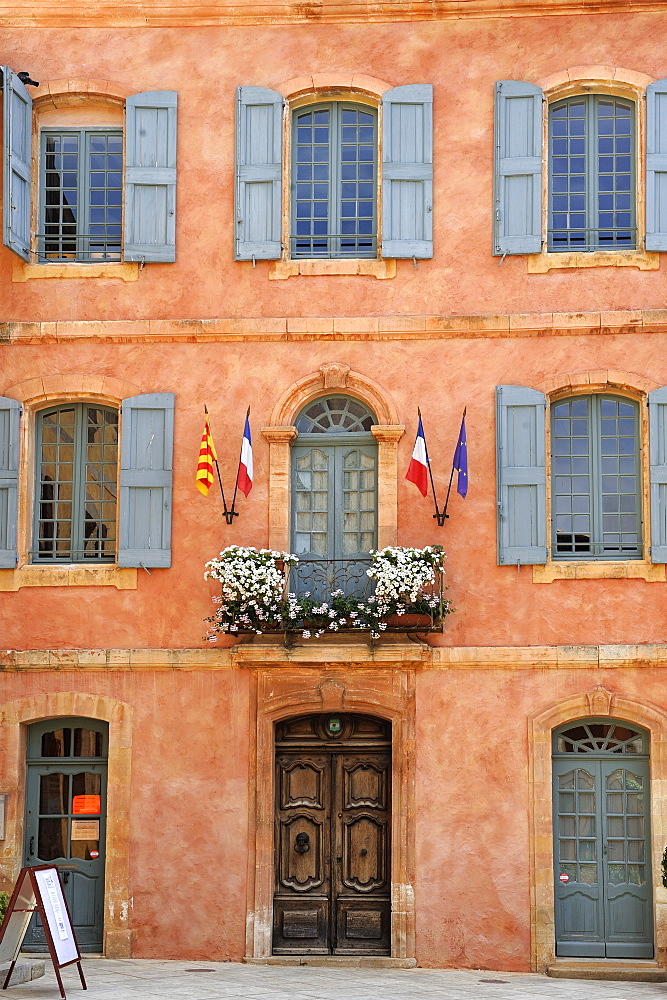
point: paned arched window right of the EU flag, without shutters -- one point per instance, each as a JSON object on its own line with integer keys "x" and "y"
{"x": 596, "y": 480}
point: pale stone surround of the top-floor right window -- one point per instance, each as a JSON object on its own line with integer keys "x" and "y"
{"x": 615, "y": 81}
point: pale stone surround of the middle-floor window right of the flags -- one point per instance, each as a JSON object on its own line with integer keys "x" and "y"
{"x": 635, "y": 387}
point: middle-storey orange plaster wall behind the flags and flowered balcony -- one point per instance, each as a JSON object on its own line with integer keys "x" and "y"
{"x": 495, "y": 605}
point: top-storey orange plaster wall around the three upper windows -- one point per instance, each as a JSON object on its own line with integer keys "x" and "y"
{"x": 462, "y": 58}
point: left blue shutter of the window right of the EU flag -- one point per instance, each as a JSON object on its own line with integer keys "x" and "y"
{"x": 521, "y": 474}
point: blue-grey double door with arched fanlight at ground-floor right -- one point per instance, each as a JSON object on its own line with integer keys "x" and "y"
{"x": 603, "y": 898}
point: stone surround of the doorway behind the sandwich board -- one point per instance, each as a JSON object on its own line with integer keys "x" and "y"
{"x": 14, "y": 721}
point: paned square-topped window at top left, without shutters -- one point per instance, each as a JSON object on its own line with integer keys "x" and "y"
{"x": 81, "y": 189}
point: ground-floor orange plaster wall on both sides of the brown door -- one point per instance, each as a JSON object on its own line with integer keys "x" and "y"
{"x": 189, "y": 832}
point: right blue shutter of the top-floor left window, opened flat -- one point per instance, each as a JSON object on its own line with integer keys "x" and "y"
{"x": 150, "y": 176}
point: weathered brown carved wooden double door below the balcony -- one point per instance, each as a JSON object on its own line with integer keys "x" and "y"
{"x": 332, "y": 836}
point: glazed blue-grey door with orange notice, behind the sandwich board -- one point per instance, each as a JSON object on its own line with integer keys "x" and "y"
{"x": 66, "y": 818}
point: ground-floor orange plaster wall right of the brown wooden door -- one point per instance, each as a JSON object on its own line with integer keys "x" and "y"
{"x": 473, "y": 806}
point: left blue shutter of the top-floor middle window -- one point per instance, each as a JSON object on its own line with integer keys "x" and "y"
{"x": 259, "y": 144}
